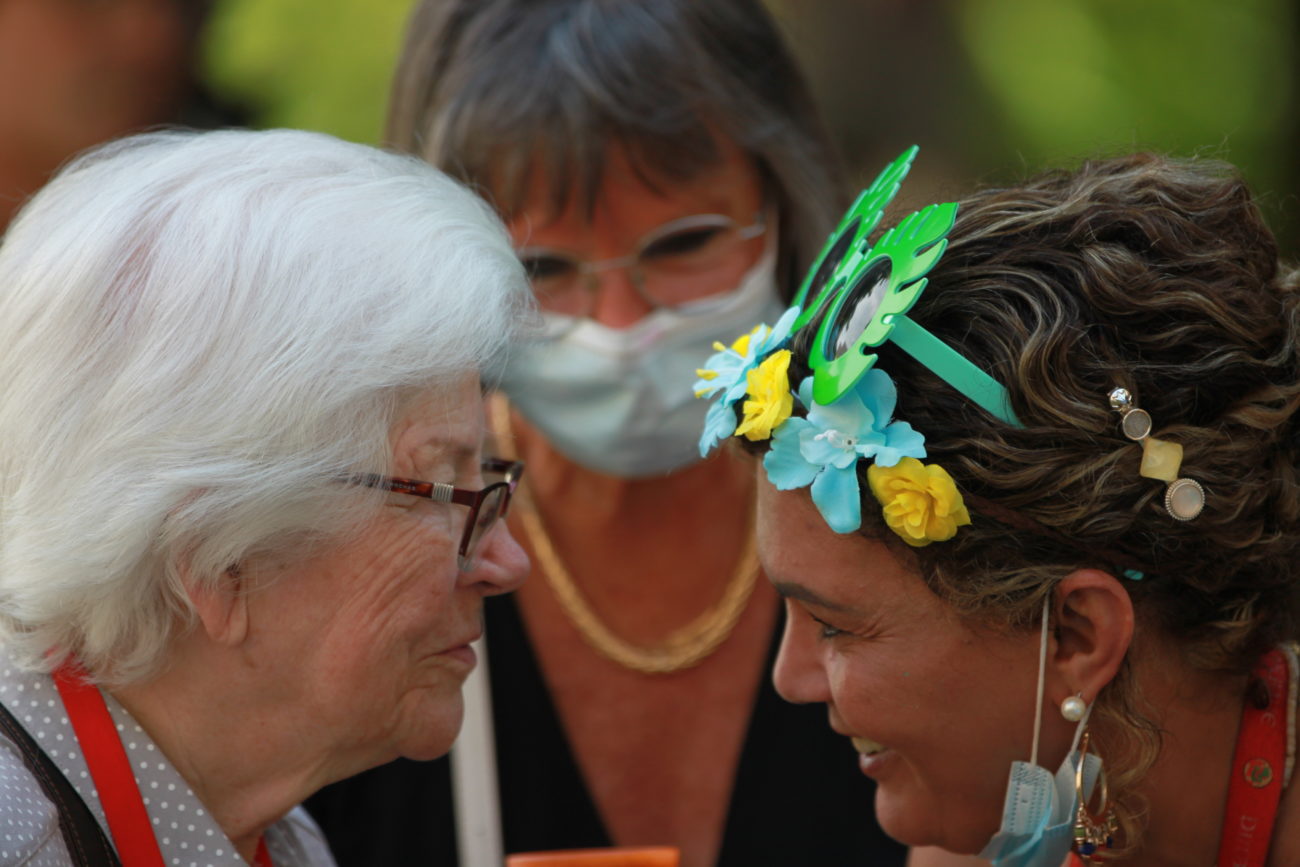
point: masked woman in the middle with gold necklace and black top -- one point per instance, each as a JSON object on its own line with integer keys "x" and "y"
{"x": 666, "y": 181}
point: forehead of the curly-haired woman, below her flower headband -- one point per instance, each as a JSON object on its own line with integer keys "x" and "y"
{"x": 803, "y": 554}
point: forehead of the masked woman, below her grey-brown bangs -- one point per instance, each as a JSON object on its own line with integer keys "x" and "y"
{"x": 630, "y": 203}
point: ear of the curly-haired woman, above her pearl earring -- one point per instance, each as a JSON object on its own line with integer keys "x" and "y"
{"x": 1094, "y": 631}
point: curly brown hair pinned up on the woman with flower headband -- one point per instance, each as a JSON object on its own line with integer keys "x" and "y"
{"x": 1152, "y": 275}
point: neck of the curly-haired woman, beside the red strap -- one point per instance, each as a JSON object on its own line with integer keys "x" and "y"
{"x": 1188, "y": 788}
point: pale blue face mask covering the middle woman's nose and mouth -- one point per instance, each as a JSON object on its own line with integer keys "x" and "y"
{"x": 621, "y": 401}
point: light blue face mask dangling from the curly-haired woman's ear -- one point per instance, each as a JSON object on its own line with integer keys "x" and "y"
{"x": 1039, "y": 810}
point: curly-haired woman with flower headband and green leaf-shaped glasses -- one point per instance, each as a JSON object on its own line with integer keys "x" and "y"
{"x": 1037, "y": 521}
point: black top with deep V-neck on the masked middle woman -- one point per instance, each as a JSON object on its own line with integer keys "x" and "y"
{"x": 799, "y": 796}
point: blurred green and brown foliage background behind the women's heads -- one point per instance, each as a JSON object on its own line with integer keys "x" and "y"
{"x": 993, "y": 90}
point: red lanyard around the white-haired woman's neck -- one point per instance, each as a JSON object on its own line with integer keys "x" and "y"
{"x": 111, "y": 771}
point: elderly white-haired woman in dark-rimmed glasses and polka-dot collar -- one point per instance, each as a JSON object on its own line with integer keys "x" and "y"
{"x": 246, "y": 524}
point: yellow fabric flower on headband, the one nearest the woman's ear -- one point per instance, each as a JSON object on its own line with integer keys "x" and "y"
{"x": 921, "y": 501}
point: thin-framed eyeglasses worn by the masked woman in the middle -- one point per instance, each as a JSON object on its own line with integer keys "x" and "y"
{"x": 681, "y": 262}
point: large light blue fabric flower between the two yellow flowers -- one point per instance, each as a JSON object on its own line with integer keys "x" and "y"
{"x": 824, "y": 449}
